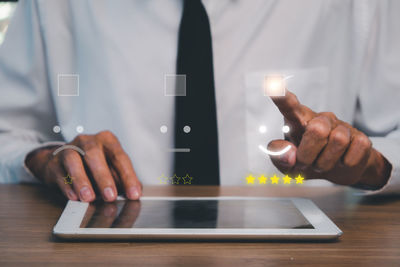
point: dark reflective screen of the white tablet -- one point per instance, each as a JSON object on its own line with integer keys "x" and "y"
{"x": 226, "y": 213}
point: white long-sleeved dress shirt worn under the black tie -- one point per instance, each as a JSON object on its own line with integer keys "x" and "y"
{"x": 342, "y": 56}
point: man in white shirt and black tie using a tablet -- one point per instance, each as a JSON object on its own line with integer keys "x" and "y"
{"x": 336, "y": 56}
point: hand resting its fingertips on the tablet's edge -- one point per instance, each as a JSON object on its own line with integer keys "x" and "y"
{"x": 104, "y": 168}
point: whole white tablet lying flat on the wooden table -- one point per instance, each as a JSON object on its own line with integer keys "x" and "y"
{"x": 196, "y": 218}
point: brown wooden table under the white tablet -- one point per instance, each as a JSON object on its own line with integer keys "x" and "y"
{"x": 371, "y": 227}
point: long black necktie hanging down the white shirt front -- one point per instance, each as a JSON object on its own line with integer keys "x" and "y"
{"x": 198, "y": 108}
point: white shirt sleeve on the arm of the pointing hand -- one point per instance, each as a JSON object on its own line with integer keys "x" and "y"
{"x": 378, "y": 113}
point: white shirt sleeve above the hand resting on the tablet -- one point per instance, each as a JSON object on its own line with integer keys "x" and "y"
{"x": 27, "y": 112}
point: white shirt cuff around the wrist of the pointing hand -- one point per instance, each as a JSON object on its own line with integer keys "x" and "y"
{"x": 389, "y": 148}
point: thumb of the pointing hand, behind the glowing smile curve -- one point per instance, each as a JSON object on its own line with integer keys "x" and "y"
{"x": 285, "y": 161}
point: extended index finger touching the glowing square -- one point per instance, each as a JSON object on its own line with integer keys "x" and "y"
{"x": 292, "y": 109}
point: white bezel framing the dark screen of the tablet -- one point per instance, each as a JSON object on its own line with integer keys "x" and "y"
{"x": 68, "y": 226}
